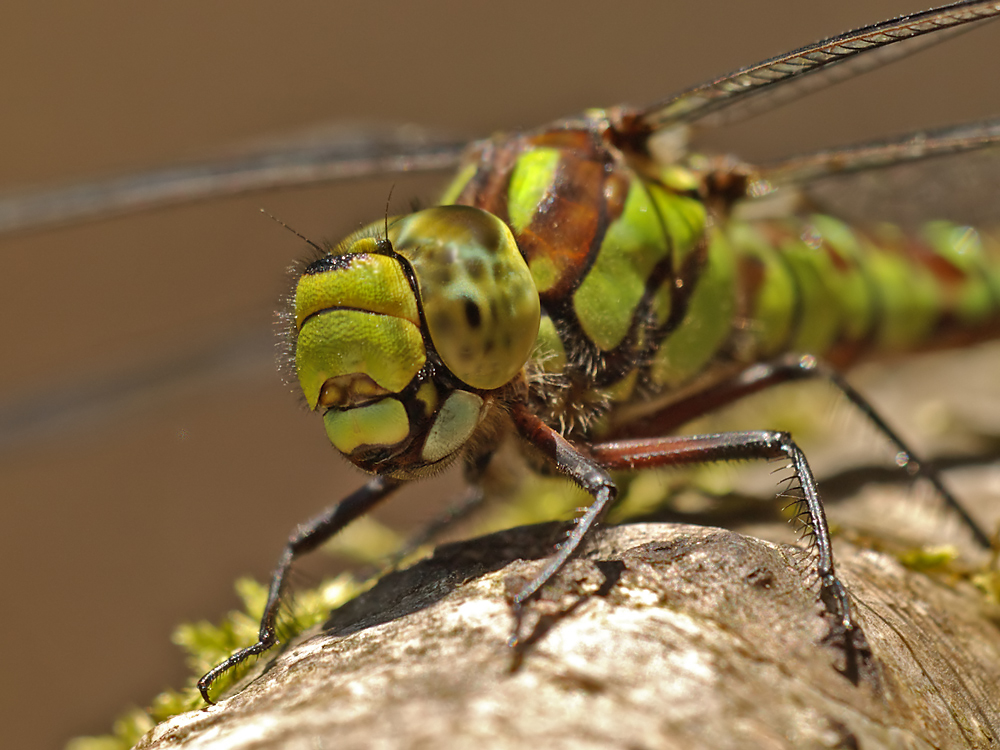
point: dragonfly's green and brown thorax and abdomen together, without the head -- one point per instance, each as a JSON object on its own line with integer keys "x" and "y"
{"x": 614, "y": 258}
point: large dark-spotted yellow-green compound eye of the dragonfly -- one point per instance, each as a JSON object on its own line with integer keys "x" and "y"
{"x": 478, "y": 297}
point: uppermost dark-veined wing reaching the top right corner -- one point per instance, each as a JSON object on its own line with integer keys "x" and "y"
{"x": 765, "y": 85}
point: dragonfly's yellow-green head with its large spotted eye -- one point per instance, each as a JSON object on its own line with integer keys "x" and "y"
{"x": 406, "y": 339}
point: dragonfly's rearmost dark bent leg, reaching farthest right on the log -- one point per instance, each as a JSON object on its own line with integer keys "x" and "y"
{"x": 786, "y": 369}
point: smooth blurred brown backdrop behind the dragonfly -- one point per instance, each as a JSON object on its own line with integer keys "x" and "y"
{"x": 117, "y": 526}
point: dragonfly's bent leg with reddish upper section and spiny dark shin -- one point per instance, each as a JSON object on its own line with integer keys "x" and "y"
{"x": 758, "y": 444}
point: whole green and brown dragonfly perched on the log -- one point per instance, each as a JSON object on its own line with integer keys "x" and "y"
{"x": 593, "y": 285}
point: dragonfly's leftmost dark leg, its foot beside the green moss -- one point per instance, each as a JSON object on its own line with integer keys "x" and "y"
{"x": 306, "y": 538}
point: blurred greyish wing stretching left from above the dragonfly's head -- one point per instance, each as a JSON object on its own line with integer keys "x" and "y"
{"x": 336, "y": 154}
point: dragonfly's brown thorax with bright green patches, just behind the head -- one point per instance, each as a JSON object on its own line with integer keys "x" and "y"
{"x": 604, "y": 246}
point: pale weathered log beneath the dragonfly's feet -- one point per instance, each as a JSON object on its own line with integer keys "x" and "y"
{"x": 659, "y": 636}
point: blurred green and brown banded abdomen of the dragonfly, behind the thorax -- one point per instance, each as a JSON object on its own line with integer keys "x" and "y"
{"x": 819, "y": 286}
